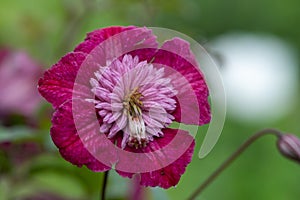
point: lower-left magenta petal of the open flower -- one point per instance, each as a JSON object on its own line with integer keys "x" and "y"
{"x": 65, "y": 136}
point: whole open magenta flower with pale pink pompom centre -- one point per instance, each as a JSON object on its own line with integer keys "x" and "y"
{"x": 115, "y": 97}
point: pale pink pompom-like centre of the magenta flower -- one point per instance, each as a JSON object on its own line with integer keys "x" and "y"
{"x": 134, "y": 99}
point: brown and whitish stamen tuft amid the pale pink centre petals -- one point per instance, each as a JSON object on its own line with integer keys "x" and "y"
{"x": 137, "y": 128}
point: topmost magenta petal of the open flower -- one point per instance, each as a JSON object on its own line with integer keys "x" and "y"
{"x": 111, "y": 43}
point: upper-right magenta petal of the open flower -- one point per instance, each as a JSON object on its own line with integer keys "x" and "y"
{"x": 176, "y": 54}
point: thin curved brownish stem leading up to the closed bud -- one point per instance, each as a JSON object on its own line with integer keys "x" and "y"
{"x": 229, "y": 160}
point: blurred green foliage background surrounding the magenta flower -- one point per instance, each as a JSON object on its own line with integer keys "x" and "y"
{"x": 47, "y": 30}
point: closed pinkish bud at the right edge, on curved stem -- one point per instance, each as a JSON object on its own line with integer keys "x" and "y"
{"x": 289, "y": 146}
